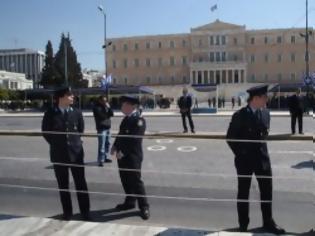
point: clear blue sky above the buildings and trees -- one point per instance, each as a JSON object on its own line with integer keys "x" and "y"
{"x": 31, "y": 23}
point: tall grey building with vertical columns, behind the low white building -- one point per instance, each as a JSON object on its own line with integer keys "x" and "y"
{"x": 27, "y": 61}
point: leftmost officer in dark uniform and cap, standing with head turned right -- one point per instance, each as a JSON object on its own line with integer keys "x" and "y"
{"x": 67, "y": 149}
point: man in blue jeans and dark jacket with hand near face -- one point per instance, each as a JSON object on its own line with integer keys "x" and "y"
{"x": 102, "y": 114}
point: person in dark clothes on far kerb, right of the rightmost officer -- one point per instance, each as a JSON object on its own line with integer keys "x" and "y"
{"x": 296, "y": 107}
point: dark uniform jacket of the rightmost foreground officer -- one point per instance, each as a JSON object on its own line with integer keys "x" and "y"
{"x": 245, "y": 125}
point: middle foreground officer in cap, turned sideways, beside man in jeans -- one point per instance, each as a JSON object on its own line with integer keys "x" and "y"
{"x": 128, "y": 150}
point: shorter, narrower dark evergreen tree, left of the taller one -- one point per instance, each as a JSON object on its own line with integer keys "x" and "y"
{"x": 49, "y": 75}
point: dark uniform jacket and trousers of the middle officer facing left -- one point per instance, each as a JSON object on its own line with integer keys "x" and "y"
{"x": 130, "y": 149}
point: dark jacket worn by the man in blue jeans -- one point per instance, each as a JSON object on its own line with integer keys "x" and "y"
{"x": 102, "y": 115}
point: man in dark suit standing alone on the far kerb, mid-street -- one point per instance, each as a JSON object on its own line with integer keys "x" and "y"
{"x": 184, "y": 103}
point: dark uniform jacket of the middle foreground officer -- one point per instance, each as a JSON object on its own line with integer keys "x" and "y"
{"x": 131, "y": 147}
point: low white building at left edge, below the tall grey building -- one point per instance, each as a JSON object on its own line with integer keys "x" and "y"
{"x": 14, "y": 81}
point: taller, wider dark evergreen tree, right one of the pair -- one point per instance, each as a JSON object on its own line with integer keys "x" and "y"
{"x": 75, "y": 77}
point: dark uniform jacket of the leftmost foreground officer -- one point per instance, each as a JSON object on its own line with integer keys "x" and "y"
{"x": 64, "y": 148}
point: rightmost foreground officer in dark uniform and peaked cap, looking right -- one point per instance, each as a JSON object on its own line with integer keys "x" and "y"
{"x": 252, "y": 123}
